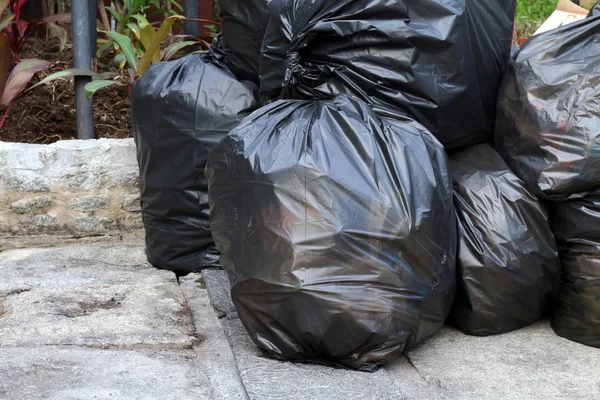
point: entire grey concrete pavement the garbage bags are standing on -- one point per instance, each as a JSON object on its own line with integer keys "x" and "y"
{"x": 94, "y": 321}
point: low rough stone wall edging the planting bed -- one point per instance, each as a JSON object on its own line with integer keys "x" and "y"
{"x": 74, "y": 187}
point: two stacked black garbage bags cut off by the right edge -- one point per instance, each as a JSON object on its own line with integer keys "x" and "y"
{"x": 548, "y": 130}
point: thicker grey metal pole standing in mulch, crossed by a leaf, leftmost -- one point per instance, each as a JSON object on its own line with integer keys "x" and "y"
{"x": 82, "y": 58}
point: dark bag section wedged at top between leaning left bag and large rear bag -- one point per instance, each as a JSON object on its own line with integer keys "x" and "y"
{"x": 243, "y": 24}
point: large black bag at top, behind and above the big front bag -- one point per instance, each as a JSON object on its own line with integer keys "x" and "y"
{"x": 442, "y": 60}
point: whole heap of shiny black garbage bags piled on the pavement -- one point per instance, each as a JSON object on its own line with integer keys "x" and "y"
{"x": 370, "y": 170}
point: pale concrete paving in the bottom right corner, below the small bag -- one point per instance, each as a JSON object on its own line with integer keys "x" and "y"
{"x": 528, "y": 364}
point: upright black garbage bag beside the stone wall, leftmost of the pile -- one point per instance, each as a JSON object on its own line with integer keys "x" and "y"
{"x": 181, "y": 110}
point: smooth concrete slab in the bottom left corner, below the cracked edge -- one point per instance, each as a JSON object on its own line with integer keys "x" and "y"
{"x": 59, "y": 373}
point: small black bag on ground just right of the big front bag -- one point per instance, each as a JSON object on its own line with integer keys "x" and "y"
{"x": 508, "y": 264}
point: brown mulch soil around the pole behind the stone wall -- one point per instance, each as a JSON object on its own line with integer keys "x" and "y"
{"x": 47, "y": 113}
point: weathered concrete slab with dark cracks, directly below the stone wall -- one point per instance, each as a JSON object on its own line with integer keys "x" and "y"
{"x": 98, "y": 295}
